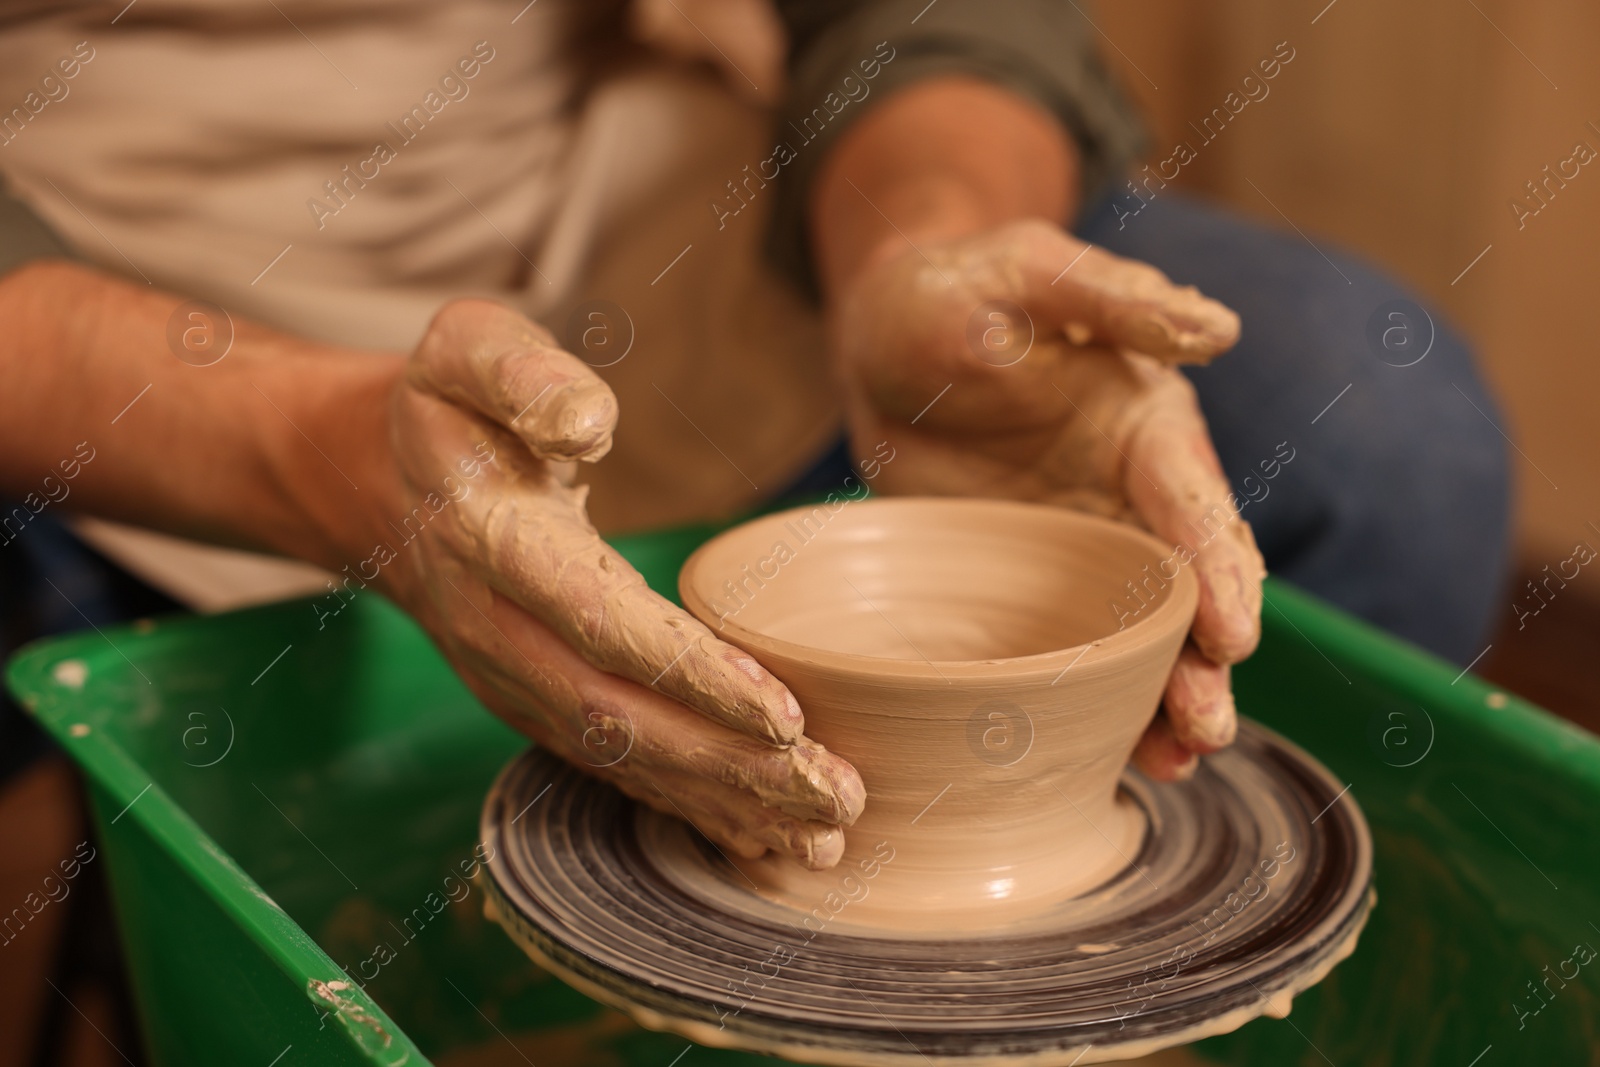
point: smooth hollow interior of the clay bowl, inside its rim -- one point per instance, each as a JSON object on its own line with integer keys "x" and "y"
{"x": 930, "y": 580}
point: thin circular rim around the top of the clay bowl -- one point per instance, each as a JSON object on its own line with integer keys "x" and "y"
{"x": 1150, "y": 629}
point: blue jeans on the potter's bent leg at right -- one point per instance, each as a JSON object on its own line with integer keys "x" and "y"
{"x": 1396, "y": 505}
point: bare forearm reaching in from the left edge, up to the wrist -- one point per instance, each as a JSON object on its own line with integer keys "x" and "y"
{"x": 278, "y": 447}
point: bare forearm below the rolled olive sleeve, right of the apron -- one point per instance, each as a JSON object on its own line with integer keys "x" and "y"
{"x": 938, "y": 161}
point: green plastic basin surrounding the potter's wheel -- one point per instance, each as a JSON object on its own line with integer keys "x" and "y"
{"x": 287, "y": 809}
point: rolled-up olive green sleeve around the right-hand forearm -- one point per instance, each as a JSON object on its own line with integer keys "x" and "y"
{"x": 847, "y": 55}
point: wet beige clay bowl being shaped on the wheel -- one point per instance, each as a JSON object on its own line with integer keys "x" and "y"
{"x": 988, "y": 668}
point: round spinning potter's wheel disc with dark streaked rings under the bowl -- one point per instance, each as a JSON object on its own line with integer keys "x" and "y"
{"x": 1196, "y": 938}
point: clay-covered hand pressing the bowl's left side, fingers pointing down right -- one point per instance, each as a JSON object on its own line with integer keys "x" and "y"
{"x": 553, "y": 629}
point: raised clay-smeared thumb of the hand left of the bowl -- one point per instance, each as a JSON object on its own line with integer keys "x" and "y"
{"x": 487, "y": 358}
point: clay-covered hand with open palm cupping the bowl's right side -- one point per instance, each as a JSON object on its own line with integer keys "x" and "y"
{"x": 1025, "y": 364}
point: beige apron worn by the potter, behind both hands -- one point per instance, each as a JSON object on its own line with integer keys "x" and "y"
{"x": 340, "y": 170}
